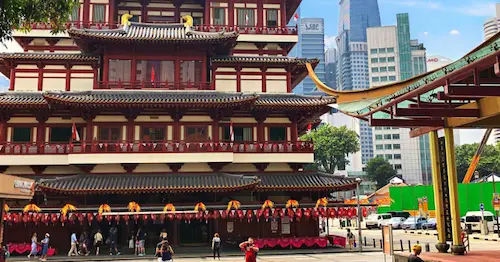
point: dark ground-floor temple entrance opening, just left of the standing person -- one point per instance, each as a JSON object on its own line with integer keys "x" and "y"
{"x": 194, "y": 233}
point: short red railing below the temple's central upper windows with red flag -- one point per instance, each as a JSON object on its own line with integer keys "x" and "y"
{"x": 154, "y": 85}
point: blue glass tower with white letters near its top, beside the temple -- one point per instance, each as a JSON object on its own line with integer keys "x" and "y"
{"x": 312, "y": 45}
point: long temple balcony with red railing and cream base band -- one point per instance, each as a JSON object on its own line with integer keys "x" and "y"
{"x": 107, "y": 152}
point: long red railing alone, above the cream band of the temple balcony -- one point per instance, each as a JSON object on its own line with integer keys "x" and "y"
{"x": 153, "y": 147}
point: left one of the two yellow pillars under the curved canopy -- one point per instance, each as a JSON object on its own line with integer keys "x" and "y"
{"x": 442, "y": 246}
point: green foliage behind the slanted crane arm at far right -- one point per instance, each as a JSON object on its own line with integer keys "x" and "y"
{"x": 488, "y": 163}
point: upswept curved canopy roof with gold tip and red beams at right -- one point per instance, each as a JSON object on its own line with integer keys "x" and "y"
{"x": 463, "y": 94}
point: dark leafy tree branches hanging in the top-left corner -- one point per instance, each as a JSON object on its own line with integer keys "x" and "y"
{"x": 21, "y": 14}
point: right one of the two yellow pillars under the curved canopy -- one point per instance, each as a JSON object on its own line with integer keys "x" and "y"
{"x": 458, "y": 246}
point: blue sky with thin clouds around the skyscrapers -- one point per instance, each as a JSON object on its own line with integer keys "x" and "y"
{"x": 449, "y": 28}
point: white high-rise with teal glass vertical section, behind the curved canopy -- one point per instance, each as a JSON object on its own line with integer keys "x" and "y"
{"x": 394, "y": 57}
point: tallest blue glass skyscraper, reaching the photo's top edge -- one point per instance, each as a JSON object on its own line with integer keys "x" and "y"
{"x": 355, "y": 16}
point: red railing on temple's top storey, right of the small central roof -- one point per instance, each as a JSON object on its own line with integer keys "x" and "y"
{"x": 277, "y": 30}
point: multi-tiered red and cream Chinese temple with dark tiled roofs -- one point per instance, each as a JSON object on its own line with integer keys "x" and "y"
{"x": 175, "y": 115}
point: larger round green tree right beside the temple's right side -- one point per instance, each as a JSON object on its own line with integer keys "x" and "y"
{"x": 332, "y": 145}
